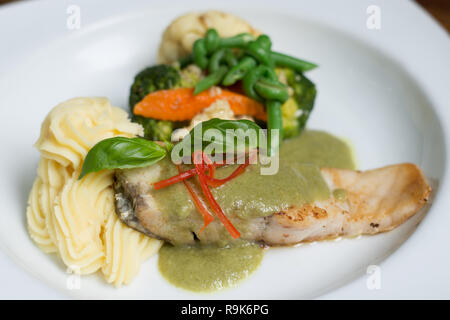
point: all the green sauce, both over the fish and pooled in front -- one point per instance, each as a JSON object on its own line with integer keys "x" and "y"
{"x": 298, "y": 181}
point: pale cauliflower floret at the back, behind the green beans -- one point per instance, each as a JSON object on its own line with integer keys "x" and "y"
{"x": 180, "y": 35}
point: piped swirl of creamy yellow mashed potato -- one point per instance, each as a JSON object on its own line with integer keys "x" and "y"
{"x": 76, "y": 218}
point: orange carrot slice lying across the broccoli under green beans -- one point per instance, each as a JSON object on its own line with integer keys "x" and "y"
{"x": 181, "y": 104}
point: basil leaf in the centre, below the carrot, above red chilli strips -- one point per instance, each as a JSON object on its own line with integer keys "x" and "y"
{"x": 223, "y": 134}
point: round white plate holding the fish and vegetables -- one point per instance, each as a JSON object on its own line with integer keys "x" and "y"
{"x": 385, "y": 90}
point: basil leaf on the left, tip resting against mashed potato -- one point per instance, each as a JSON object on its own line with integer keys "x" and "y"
{"x": 122, "y": 153}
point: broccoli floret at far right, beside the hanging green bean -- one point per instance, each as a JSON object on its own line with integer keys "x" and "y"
{"x": 296, "y": 110}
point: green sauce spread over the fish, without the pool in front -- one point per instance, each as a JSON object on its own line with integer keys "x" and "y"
{"x": 298, "y": 180}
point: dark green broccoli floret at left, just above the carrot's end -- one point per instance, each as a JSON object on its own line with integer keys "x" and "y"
{"x": 151, "y": 79}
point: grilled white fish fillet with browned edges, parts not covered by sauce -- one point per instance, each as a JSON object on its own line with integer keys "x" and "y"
{"x": 376, "y": 201}
